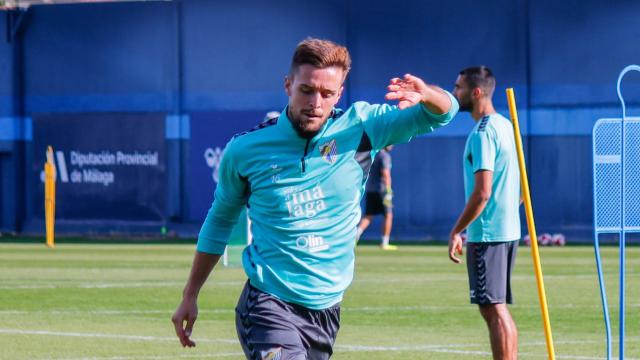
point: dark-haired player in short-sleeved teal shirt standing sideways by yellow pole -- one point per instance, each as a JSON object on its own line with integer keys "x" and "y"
{"x": 491, "y": 217}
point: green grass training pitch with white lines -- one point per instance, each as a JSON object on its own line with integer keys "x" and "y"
{"x": 82, "y": 301}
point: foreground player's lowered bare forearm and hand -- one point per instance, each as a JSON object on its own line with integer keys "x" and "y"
{"x": 187, "y": 312}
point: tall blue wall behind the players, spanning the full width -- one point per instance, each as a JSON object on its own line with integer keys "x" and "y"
{"x": 212, "y": 65}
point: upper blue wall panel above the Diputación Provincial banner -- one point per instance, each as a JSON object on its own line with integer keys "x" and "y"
{"x": 110, "y": 57}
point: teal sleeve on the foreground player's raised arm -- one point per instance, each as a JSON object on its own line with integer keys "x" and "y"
{"x": 386, "y": 124}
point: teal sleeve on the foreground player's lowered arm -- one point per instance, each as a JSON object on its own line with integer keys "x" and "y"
{"x": 229, "y": 200}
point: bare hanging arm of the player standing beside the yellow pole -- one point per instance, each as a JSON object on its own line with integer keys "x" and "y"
{"x": 474, "y": 207}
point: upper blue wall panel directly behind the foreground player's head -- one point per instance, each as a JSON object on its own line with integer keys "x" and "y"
{"x": 236, "y": 54}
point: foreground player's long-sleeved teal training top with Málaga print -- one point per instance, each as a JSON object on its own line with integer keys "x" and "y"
{"x": 304, "y": 197}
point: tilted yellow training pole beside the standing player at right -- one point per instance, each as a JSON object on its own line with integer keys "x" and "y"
{"x": 524, "y": 182}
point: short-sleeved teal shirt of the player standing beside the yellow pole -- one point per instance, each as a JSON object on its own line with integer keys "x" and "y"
{"x": 491, "y": 146}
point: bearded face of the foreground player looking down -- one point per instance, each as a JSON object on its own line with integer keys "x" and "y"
{"x": 313, "y": 92}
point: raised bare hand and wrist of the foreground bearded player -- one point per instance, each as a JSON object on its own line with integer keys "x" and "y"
{"x": 411, "y": 90}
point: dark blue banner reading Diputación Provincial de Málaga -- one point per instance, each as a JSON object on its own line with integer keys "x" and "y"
{"x": 109, "y": 166}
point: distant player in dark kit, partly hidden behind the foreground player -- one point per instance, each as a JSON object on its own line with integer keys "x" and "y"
{"x": 379, "y": 197}
